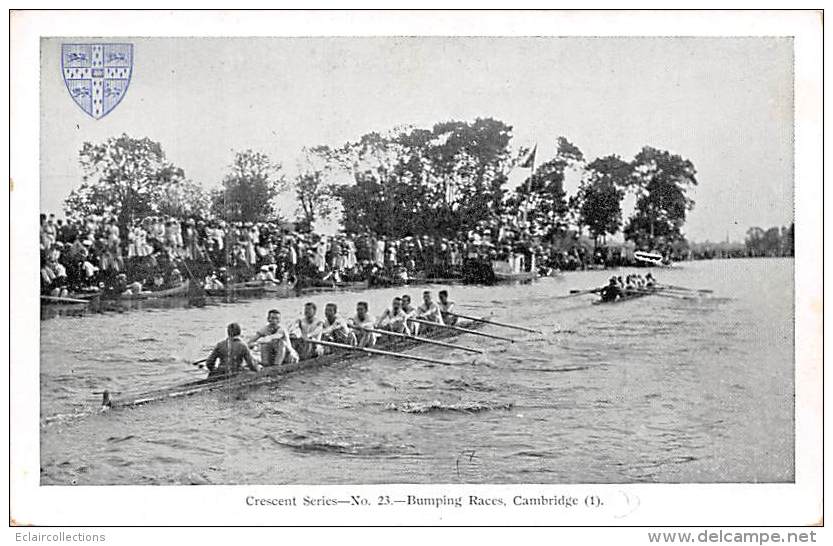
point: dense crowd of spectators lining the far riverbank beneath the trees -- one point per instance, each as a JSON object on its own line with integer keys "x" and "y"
{"x": 154, "y": 253}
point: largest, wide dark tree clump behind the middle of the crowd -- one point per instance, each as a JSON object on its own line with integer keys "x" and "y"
{"x": 415, "y": 181}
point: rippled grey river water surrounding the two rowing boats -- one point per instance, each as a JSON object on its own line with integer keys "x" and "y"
{"x": 657, "y": 389}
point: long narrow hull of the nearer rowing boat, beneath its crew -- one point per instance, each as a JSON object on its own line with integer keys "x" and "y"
{"x": 272, "y": 374}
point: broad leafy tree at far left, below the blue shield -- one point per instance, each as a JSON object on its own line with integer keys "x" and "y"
{"x": 125, "y": 177}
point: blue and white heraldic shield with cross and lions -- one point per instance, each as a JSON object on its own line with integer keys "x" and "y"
{"x": 97, "y": 75}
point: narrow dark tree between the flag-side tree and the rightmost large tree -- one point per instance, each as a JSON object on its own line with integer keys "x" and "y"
{"x": 599, "y": 198}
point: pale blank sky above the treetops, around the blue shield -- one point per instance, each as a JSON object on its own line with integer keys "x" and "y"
{"x": 724, "y": 103}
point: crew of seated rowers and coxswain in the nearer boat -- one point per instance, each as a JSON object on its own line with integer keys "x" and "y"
{"x": 281, "y": 344}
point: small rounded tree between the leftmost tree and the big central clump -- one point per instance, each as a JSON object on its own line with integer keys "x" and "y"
{"x": 249, "y": 190}
